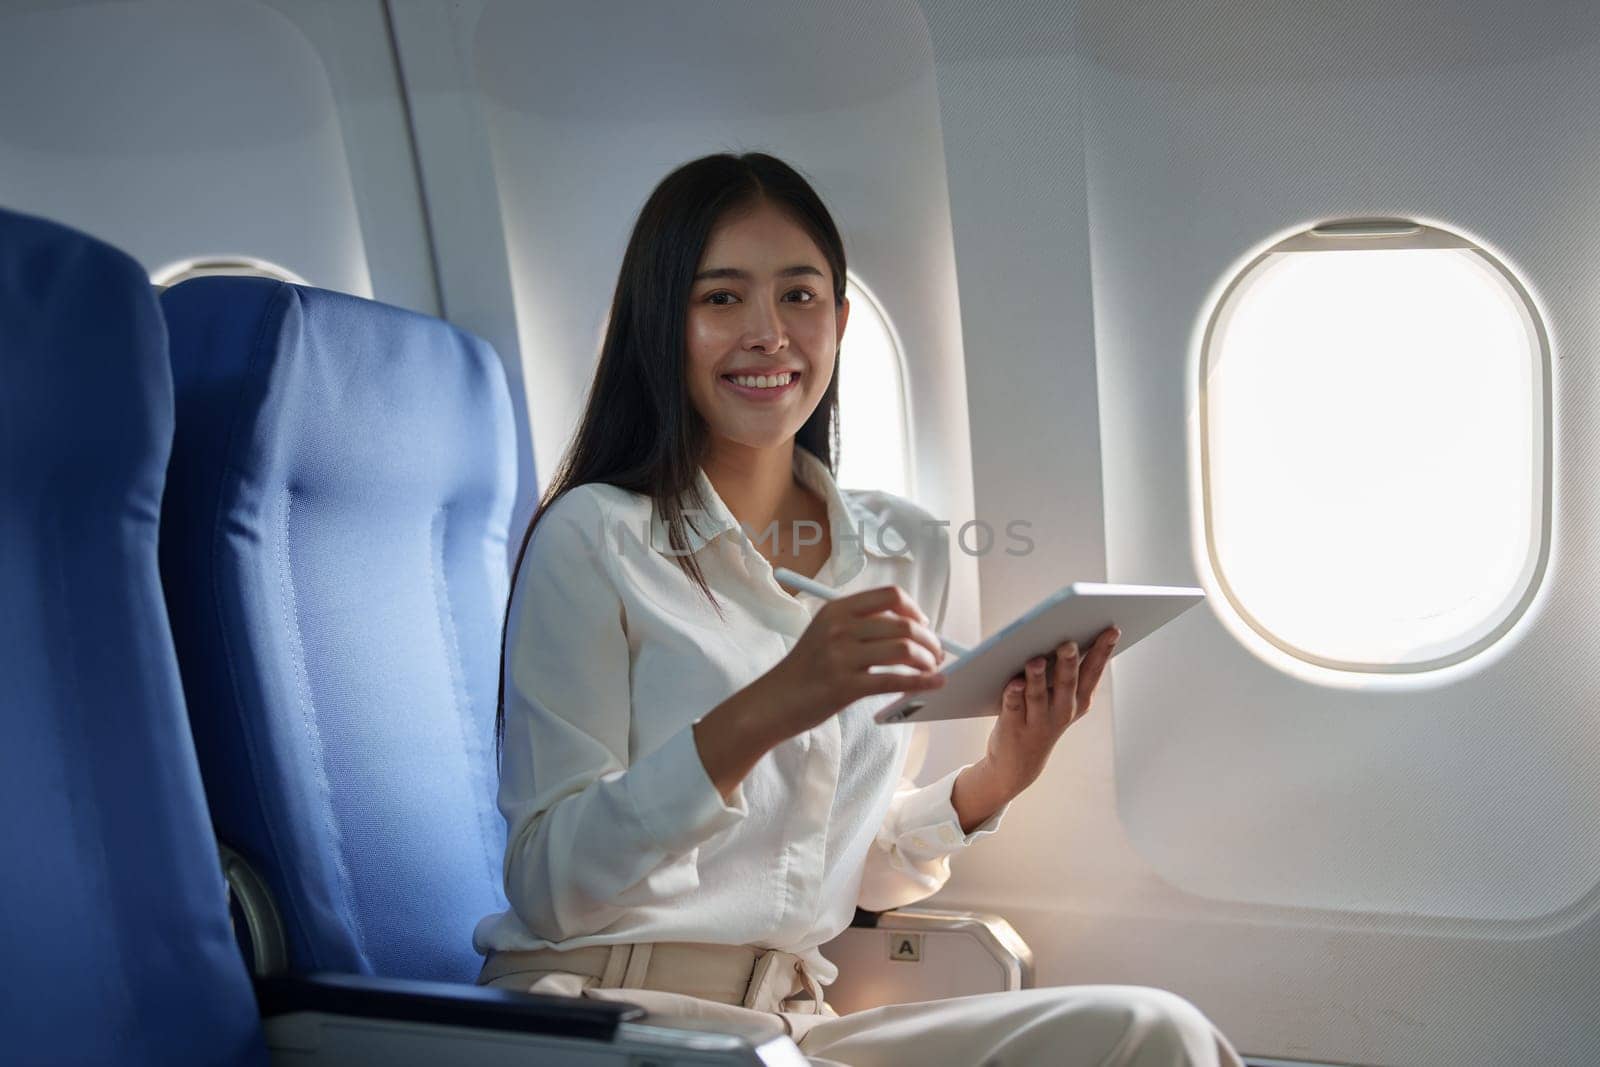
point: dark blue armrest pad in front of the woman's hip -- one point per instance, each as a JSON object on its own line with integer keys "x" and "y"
{"x": 442, "y": 1004}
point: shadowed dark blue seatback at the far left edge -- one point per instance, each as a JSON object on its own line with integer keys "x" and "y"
{"x": 116, "y": 932}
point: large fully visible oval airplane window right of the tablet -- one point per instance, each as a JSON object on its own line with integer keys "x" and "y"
{"x": 1375, "y": 447}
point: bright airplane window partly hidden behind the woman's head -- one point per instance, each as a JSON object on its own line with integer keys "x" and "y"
{"x": 873, "y": 414}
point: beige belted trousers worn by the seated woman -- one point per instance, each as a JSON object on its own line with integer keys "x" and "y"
{"x": 1062, "y": 1026}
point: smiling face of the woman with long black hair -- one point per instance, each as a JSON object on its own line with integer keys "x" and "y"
{"x": 762, "y": 306}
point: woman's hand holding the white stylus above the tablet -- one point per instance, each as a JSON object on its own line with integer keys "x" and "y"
{"x": 830, "y": 668}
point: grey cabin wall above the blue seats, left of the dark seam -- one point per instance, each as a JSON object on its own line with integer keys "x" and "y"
{"x": 183, "y": 130}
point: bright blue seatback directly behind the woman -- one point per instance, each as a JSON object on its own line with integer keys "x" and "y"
{"x": 334, "y": 549}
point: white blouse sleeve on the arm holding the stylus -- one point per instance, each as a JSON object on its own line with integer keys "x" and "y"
{"x": 585, "y": 825}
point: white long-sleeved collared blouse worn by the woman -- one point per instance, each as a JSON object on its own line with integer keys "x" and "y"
{"x": 615, "y": 831}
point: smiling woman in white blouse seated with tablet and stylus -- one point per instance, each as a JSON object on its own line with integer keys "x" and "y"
{"x": 695, "y": 791}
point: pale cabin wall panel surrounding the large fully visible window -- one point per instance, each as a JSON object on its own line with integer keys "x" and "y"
{"x": 1359, "y": 876}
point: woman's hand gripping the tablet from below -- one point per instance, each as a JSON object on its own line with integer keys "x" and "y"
{"x": 1036, "y": 711}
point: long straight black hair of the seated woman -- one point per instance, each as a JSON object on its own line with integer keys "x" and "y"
{"x": 641, "y": 430}
